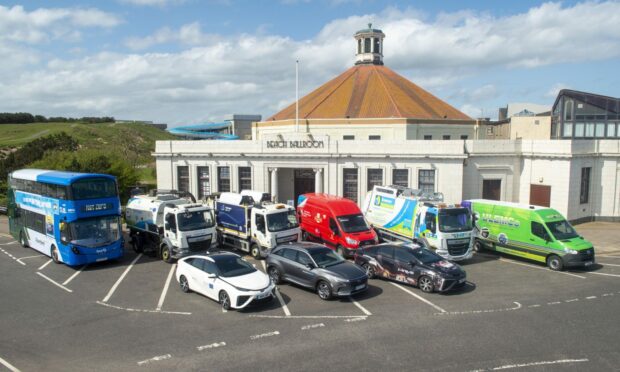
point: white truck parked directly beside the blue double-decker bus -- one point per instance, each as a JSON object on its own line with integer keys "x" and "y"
{"x": 169, "y": 224}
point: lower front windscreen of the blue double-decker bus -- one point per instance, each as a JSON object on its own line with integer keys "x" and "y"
{"x": 93, "y": 232}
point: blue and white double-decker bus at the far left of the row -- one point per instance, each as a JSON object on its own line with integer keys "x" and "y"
{"x": 74, "y": 218}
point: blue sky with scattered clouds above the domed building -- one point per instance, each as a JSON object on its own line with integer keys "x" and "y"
{"x": 195, "y": 61}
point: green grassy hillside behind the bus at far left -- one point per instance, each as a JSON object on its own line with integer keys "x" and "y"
{"x": 135, "y": 141}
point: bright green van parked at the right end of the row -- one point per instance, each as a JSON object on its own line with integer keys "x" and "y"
{"x": 537, "y": 233}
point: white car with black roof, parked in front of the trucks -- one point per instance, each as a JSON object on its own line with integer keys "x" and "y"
{"x": 226, "y": 278}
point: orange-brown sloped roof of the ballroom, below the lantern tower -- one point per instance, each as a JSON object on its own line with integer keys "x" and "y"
{"x": 370, "y": 91}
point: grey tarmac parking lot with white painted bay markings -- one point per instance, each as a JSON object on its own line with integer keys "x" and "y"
{"x": 131, "y": 315}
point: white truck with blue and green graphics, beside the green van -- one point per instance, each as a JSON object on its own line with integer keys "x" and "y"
{"x": 399, "y": 213}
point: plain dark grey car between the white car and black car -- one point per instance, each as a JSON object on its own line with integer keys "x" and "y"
{"x": 316, "y": 267}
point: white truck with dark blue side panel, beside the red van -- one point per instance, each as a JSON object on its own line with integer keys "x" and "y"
{"x": 250, "y": 222}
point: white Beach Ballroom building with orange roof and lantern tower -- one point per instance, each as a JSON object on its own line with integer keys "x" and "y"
{"x": 344, "y": 143}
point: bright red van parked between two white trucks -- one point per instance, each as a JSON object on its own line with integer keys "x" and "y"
{"x": 337, "y": 222}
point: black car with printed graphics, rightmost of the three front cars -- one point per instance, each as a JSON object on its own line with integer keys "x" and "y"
{"x": 411, "y": 264}
